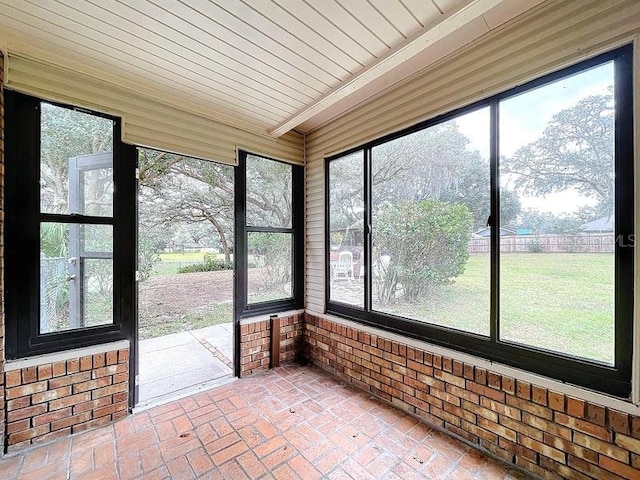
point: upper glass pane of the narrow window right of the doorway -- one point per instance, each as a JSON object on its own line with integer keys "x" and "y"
{"x": 269, "y": 193}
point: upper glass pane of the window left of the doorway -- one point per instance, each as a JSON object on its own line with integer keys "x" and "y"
{"x": 76, "y": 162}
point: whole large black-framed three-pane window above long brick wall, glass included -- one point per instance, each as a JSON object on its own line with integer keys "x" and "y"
{"x": 504, "y": 229}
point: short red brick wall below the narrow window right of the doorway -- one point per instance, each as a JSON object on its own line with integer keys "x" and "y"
{"x": 255, "y": 343}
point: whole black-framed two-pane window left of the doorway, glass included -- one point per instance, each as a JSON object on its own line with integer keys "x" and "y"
{"x": 68, "y": 277}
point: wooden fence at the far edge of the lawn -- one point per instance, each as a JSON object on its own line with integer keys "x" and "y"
{"x": 581, "y": 243}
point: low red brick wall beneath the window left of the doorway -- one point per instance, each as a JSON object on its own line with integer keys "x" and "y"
{"x": 60, "y": 398}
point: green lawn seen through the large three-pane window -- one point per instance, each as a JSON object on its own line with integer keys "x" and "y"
{"x": 561, "y": 302}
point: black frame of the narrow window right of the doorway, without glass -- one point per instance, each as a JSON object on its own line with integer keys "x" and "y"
{"x": 245, "y": 309}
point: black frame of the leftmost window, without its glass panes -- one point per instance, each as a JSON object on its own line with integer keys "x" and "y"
{"x": 22, "y": 235}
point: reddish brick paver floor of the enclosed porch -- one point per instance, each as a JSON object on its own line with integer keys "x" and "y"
{"x": 293, "y": 422}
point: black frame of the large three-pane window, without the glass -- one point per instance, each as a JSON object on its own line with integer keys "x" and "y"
{"x": 614, "y": 380}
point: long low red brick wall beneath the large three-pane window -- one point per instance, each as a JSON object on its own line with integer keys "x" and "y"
{"x": 548, "y": 433}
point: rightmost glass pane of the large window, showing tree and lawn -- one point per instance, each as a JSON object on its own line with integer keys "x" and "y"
{"x": 557, "y": 260}
